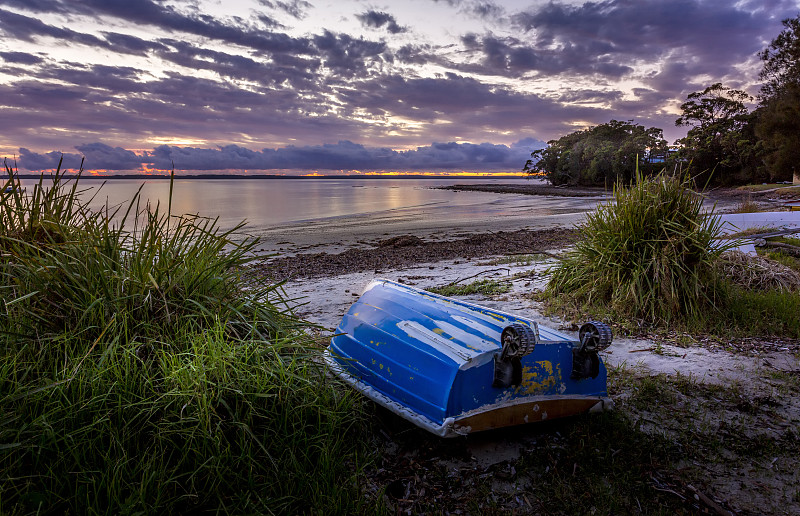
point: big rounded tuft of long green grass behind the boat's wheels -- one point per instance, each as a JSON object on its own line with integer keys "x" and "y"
{"x": 648, "y": 254}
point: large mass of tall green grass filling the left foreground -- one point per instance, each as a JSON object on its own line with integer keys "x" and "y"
{"x": 136, "y": 375}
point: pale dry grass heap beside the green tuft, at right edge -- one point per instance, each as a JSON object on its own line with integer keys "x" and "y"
{"x": 757, "y": 273}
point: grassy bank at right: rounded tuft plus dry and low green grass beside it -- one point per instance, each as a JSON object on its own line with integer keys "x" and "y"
{"x": 653, "y": 258}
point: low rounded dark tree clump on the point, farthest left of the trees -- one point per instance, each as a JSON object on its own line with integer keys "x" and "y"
{"x": 601, "y": 155}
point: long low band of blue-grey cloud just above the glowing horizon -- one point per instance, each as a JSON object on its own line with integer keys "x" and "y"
{"x": 342, "y": 156}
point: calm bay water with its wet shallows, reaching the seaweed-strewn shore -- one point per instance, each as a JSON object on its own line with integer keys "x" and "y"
{"x": 319, "y": 214}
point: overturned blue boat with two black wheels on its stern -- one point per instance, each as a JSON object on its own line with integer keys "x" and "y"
{"x": 454, "y": 368}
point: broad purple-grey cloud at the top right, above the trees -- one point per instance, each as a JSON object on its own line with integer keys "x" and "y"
{"x": 709, "y": 36}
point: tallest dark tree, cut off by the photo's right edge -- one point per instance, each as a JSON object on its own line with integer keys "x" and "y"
{"x": 779, "y": 121}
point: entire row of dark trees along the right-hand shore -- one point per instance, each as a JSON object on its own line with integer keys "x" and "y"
{"x": 726, "y": 143}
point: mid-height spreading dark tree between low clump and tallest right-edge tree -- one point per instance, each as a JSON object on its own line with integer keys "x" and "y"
{"x": 721, "y": 144}
